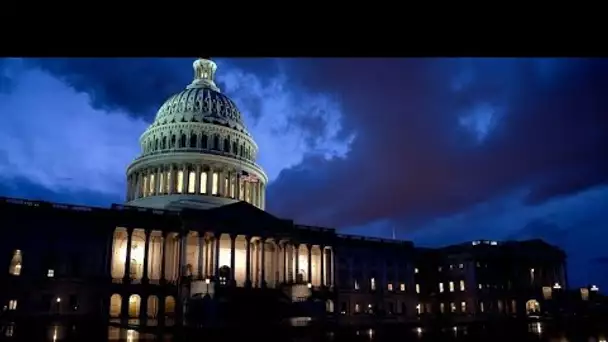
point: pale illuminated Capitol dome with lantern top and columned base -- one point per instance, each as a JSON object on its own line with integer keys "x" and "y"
{"x": 197, "y": 153}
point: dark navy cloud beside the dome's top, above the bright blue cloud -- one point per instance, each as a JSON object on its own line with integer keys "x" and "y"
{"x": 136, "y": 85}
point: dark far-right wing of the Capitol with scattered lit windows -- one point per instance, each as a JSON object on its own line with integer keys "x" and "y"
{"x": 489, "y": 278}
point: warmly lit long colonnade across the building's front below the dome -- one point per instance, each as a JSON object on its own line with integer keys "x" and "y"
{"x": 140, "y": 255}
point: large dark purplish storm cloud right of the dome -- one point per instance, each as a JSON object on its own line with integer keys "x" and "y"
{"x": 413, "y": 157}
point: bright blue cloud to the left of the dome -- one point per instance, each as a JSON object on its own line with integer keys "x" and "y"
{"x": 52, "y": 137}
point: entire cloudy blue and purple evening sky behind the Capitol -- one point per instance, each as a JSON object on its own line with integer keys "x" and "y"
{"x": 440, "y": 150}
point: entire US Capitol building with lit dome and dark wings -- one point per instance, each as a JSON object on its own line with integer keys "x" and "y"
{"x": 193, "y": 242}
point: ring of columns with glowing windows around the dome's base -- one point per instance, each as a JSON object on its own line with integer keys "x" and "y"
{"x": 195, "y": 180}
